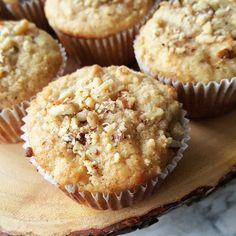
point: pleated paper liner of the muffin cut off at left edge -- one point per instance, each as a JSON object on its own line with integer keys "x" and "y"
{"x": 11, "y": 118}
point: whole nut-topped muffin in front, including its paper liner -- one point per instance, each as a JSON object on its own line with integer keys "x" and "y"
{"x": 105, "y": 136}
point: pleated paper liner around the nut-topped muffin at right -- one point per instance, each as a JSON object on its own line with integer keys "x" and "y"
{"x": 201, "y": 99}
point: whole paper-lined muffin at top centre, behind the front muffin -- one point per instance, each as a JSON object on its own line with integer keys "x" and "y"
{"x": 93, "y": 32}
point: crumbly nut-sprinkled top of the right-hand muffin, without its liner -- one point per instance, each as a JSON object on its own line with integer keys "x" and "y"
{"x": 190, "y": 41}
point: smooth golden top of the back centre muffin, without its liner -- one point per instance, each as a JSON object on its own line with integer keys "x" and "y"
{"x": 95, "y": 18}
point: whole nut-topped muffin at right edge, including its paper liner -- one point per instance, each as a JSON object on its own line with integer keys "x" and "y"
{"x": 191, "y": 45}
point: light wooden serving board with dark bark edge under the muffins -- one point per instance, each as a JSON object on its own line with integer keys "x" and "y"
{"x": 31, "y": 206}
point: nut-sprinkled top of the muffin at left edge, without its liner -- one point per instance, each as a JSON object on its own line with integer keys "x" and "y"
{"x": 29, "y": 59}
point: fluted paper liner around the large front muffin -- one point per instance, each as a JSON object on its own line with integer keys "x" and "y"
{"x": 116, "y": 200}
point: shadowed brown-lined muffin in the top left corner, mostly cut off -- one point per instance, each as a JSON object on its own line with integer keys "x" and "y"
{"x": 32, "y": 10}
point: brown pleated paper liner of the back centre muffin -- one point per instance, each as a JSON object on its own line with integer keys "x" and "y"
{"x": 116, "y": 49}
